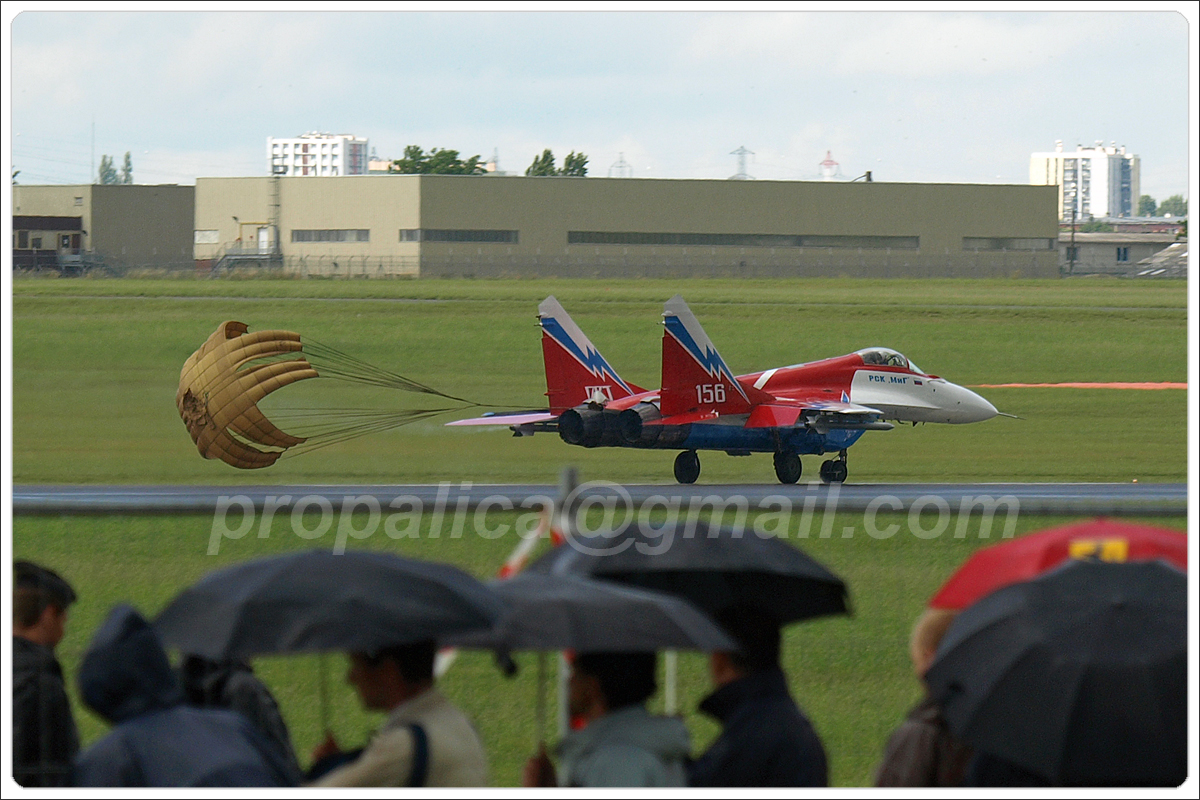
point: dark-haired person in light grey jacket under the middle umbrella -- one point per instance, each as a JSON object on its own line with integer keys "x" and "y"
{"x": 622, "y": 744}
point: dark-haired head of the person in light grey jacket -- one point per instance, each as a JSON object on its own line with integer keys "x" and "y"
{"x": 607, "y": 682}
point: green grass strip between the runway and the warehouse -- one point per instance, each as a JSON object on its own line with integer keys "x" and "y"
{"x": 97, "y": 365}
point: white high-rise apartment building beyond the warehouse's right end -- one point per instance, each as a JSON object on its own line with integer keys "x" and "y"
{"x": 1094, "y": 182}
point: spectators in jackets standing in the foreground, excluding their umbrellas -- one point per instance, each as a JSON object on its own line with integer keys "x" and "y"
{"x": 212, "y": 724}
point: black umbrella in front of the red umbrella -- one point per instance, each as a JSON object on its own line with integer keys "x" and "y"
{"x": 1078, "y": 677}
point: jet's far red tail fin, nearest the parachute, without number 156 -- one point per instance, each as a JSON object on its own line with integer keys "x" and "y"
{"x": 575, "y": 371}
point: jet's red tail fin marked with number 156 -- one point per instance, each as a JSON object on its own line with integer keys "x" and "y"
{"x": 695, "y": 378}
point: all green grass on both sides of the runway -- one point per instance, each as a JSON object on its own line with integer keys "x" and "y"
{"x": 97, "y": 365}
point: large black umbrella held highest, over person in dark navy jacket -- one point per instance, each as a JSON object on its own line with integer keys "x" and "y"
{"x": 715, "y": 568}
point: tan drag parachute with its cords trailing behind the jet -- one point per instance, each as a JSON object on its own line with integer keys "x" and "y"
{"x": 223, "y": 383}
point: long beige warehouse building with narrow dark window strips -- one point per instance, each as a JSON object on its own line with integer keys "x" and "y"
{"x": 597, "y": 227}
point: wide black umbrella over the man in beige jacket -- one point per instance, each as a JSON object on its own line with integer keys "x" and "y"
{"x": 315, "y": 601}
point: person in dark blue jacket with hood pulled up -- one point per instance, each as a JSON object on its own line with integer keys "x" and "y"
{"x": 158, "y": 741}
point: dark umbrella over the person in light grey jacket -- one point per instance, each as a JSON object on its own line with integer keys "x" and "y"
{"x": 549, "y": 612}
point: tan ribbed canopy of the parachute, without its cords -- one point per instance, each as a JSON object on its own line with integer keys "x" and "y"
{"x": 219, "y": 395}
